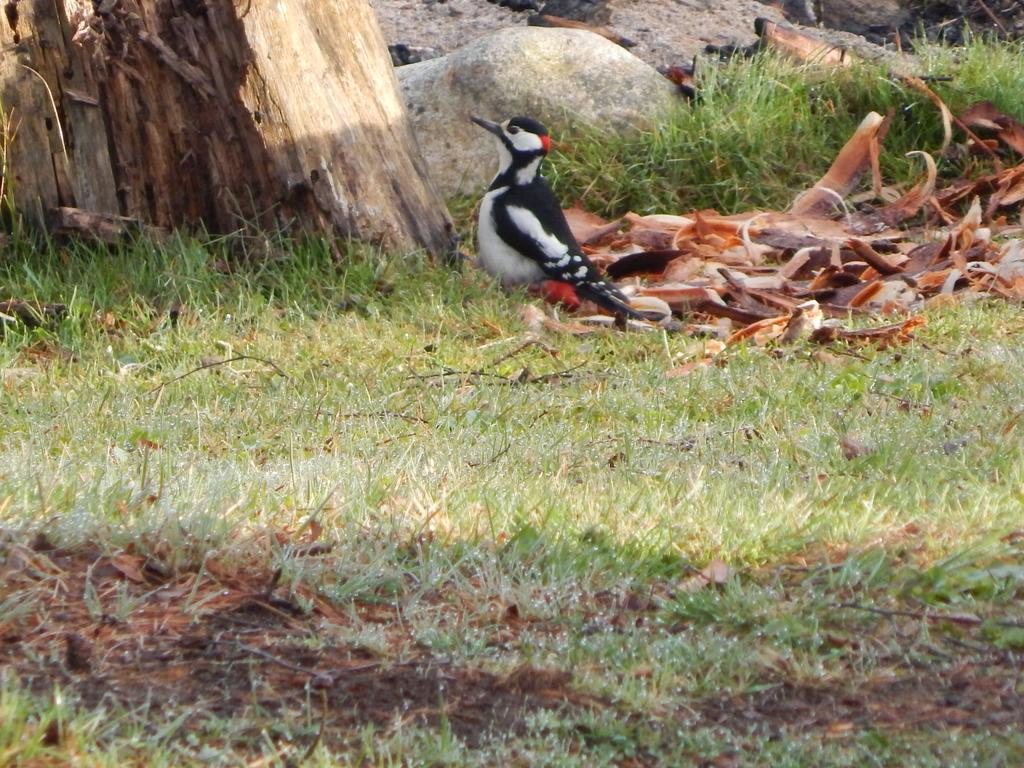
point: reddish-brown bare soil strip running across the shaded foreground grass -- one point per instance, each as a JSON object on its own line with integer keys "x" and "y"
{"x": 225, "y": 644}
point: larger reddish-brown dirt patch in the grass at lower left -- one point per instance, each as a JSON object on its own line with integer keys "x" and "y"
{"x": 119, "y": 631}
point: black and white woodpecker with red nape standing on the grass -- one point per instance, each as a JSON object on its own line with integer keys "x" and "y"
{"x": 523, "y": 235}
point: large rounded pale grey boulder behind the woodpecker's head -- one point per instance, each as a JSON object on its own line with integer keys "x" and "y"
{"x": 561, "y": 77}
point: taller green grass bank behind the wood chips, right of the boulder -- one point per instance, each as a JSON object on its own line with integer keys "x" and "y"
{"x": 765, "y": 130}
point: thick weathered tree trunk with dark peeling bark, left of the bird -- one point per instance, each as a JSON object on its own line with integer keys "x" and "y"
{"x": 221, "y": 114}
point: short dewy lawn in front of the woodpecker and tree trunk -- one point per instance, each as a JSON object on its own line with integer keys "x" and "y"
{"x": 450, "y": 495}
